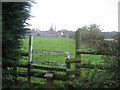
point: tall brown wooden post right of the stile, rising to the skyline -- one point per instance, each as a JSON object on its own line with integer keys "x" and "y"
{"x": 77, "y": 56}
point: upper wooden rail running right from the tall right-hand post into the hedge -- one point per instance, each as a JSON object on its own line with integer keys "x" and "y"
{"x": 79, "y": 51}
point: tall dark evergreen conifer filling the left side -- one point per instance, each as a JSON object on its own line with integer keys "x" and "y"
{"x": 14, "y": 16}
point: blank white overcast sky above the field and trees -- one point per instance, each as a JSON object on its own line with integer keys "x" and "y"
{"x": 74, "y": 14}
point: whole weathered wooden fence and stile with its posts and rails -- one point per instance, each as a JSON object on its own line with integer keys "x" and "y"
{"x": 50, "y": 75}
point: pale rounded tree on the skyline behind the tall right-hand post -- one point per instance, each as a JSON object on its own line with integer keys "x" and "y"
{"x": 91, "y": 33}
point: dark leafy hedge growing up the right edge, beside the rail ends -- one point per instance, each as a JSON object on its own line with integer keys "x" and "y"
{"x": 113, "y": 48}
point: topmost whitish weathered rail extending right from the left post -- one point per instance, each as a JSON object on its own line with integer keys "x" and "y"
{"x": 50, "y": 52}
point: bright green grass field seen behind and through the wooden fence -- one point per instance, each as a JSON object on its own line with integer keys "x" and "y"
{"x": 56, "y": 44}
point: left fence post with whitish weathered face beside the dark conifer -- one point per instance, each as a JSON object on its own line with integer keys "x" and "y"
{"x": 29, "y": 59}
